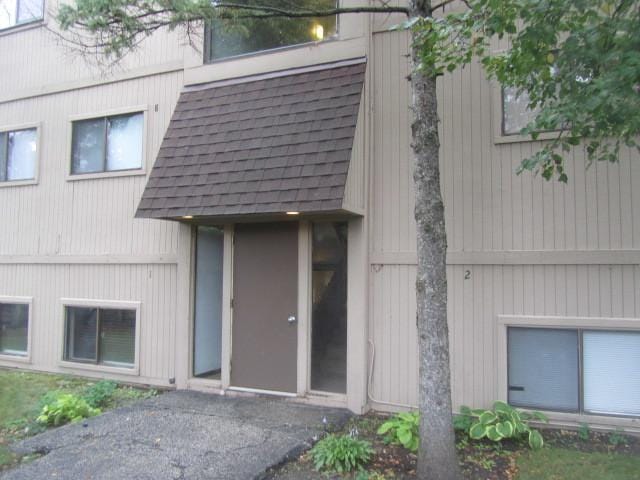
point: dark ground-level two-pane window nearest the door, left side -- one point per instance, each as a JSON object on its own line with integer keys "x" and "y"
{"x": 102, "y": 336}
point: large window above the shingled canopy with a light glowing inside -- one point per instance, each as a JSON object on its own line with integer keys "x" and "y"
{"x": 230, "y": 38}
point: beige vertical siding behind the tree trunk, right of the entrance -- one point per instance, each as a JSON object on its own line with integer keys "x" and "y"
{"x": 528, "y": 247}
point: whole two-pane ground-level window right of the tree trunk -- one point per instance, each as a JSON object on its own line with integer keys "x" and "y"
{"x": 574, "y": 370}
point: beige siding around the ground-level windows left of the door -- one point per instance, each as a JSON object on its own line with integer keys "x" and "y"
{"x": 152, "y": 285}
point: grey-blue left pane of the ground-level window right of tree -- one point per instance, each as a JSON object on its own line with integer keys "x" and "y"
{"x": 543, "y": 368}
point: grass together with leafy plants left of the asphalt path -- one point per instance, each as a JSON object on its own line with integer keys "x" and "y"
{"x": 23, "y": 396}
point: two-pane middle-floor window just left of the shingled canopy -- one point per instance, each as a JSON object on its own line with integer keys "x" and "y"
{"x": 107, "y": 144}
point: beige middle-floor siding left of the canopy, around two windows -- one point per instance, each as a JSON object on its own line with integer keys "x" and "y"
{"x": 63, "y": 214}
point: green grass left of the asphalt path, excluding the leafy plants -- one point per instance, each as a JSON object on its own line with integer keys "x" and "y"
{"x": 20, "y": 403}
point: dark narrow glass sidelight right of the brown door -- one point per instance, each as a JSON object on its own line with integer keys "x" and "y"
{"x": 329, "y": 308}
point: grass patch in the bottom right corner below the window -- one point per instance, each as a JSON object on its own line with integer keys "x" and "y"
{"x": 561, "y": 464}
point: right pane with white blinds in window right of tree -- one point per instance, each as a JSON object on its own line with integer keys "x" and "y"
{"x": 611, "y": 373}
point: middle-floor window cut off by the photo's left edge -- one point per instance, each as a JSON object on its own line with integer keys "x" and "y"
{"x": 18, "y": 154}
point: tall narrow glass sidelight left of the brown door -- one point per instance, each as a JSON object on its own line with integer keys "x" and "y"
{"x": 207, "y": 331}
